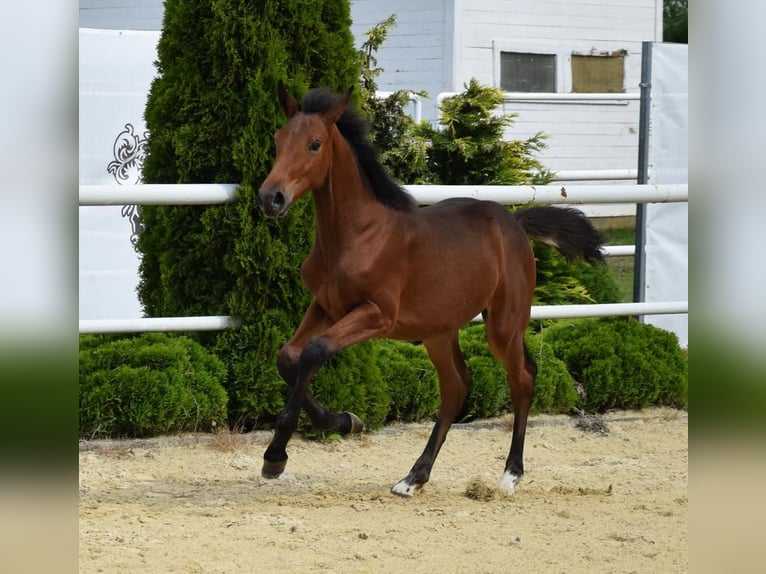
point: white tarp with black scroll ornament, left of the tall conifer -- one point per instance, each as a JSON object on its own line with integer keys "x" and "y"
{"x": 116, "y": 70}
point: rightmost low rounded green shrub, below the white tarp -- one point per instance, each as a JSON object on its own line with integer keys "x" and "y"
{"x": 622, "y": 363}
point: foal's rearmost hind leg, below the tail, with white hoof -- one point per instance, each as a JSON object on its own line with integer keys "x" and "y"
{"x": 521, "y": 371}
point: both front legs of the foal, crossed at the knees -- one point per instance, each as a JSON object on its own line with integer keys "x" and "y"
{"x": 360, "y": 324}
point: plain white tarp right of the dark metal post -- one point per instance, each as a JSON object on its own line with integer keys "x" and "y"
{"x": 667, "y": 244}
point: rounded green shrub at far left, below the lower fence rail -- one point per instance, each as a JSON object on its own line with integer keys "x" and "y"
{"x": 148, "y": 385}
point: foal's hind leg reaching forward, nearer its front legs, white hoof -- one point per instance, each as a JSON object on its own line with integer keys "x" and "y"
{"x": 454, "y": 384}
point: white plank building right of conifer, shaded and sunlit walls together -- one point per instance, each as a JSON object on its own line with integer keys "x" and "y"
{"x": 471, "y": 34}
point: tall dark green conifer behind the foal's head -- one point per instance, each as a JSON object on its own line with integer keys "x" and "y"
{"x": 211, "y": 114}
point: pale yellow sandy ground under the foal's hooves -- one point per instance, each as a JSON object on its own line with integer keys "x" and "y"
{"x": 608, "y": 501}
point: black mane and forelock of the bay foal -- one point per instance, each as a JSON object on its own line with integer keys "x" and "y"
{"x": 354, "y": 129}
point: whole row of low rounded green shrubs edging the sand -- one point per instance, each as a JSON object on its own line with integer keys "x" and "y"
{"x": 156, "y": 384}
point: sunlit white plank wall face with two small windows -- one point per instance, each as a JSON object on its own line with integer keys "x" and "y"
{"x": 592, "y": 135}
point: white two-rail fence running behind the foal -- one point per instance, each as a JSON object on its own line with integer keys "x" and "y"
{"x": 202, "y": 194}
